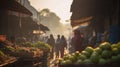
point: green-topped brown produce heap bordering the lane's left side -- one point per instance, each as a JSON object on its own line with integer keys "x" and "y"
{"x": 32, "y": 54}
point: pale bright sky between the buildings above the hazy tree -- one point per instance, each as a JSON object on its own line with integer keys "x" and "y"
{"x": 60, "y": 7}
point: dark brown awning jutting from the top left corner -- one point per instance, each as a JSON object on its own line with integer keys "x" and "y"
{"x": 14, "y": 6}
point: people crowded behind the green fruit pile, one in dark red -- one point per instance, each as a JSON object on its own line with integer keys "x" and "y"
{"x": 79, "y": 42}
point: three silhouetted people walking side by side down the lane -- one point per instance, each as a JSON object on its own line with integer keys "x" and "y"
{"x": 58, "y": 45}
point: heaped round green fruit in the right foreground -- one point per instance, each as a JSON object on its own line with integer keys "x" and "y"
{"x": 105, "y": 53}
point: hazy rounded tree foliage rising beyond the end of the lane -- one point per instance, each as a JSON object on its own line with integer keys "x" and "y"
{"x": 51, "y": 20}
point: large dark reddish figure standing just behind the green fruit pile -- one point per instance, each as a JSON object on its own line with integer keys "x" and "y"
{"x": 77, "y": 41}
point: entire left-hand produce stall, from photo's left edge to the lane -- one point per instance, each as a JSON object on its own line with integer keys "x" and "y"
{"x": 25, "y": 55}
